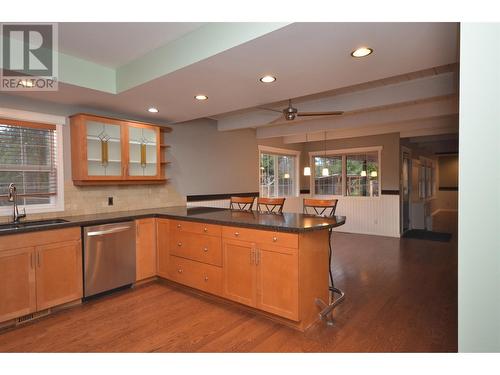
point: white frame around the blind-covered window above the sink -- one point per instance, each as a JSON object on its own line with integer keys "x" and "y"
{"x": 57, "y": 201}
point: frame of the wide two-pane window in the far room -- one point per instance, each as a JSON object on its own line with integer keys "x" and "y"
{"x": 343, "y": 153}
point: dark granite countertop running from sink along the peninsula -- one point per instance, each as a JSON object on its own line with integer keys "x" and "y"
{"x": 286, "y": 222}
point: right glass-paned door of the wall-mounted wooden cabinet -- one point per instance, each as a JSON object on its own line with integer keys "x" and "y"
{"x": 143, "y": 151}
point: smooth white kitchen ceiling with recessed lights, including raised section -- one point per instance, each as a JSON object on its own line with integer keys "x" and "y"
{"x": 307, "y": 58}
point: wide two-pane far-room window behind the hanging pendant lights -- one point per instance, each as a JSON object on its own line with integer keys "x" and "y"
{"x": 354, "y": 172}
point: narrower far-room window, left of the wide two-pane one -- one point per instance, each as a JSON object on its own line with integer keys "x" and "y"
{"x": 278, "y": 172}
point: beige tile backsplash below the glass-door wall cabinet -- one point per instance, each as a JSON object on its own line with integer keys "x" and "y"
{"x": 82, "y": 200}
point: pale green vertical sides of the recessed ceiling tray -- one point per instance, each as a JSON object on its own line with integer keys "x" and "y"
{"x": 204, "y": 42}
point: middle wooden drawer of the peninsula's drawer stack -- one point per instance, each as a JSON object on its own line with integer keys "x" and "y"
{"x": 203, "y": 248}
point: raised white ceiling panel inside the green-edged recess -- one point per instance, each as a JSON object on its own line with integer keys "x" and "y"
{"x": 114, "y": 44}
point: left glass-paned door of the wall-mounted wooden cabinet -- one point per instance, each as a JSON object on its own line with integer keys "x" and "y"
{"x": 104, "y": 149}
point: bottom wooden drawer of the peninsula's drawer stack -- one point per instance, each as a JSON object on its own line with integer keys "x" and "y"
{"x": 195, "y": 274}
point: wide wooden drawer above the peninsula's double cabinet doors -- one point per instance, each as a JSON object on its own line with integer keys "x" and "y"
{"x": 262, "y": 236}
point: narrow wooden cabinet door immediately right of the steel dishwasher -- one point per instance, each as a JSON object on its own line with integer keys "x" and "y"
{"x": 145, "y": 248}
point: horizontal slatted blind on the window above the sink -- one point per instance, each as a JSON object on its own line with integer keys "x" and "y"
{"x": 28, "y": 159}
